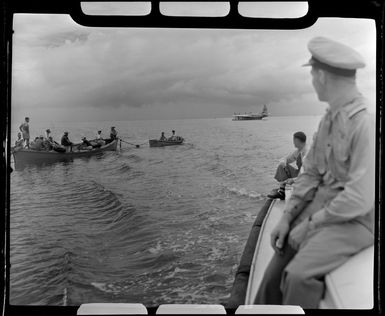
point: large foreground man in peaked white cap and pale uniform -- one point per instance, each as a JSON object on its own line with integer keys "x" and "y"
{"x": 330, "y": 214}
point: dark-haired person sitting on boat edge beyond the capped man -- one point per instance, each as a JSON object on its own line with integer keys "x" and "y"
{"x": 285, "y": 172}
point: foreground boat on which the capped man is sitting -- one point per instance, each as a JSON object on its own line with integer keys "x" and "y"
{"x": 350, "y": 286}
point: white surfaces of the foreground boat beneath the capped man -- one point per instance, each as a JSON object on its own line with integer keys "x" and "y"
{"x": 350, "y": 286}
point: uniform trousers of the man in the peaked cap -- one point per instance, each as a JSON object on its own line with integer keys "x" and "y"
{"x": 297, "y": 277}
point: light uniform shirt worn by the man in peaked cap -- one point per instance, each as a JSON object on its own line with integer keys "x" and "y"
{"x": 339, "y": 166}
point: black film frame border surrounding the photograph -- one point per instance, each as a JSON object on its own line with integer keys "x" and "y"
{"x": 372, "y": 9}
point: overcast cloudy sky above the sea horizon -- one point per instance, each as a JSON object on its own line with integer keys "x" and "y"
{"x": 66, "y": 72}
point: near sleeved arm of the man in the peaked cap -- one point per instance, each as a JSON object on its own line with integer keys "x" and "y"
{"x": 357, "y": 198}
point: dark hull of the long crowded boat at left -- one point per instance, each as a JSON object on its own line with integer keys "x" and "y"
{"x": 28, "y": 156}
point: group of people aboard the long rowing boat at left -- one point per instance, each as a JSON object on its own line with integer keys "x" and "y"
{"x": 46, "y": 143}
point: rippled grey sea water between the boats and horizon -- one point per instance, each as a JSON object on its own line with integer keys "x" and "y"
{"x": 148, "y": 225}
